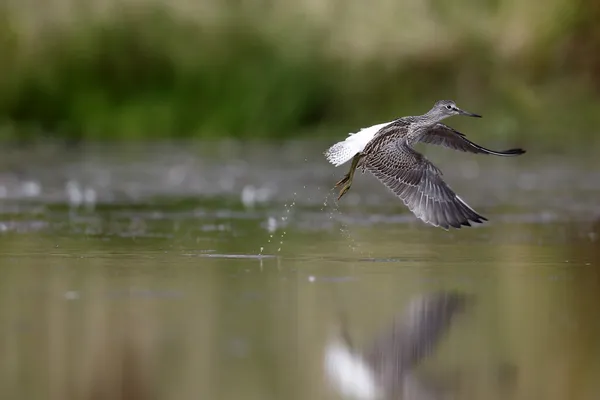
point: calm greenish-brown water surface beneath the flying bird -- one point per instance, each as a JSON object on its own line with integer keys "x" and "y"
{"x": 216, "y": 270}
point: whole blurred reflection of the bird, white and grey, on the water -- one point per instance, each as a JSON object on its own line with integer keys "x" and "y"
{"x": 385, "y": 367}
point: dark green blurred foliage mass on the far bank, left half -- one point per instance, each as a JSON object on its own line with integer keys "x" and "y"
{"x": 149, "y": 77}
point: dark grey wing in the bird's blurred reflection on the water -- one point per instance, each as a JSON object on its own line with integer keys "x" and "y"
{"x": 414, "y": 335}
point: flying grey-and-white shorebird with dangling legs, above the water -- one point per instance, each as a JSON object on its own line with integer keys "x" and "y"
{"x": 386, "y": 150}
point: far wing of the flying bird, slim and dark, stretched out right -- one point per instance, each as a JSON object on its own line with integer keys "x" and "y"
{"x": 444, "y": 135}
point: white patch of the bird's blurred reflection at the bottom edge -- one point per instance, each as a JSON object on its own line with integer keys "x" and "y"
{"x": 348, "y": 373}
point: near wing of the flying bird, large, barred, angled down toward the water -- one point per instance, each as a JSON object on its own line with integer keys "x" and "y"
{"x": 418, "y": 183}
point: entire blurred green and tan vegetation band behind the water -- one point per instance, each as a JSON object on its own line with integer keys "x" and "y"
{"x": 148, "y": 69}
